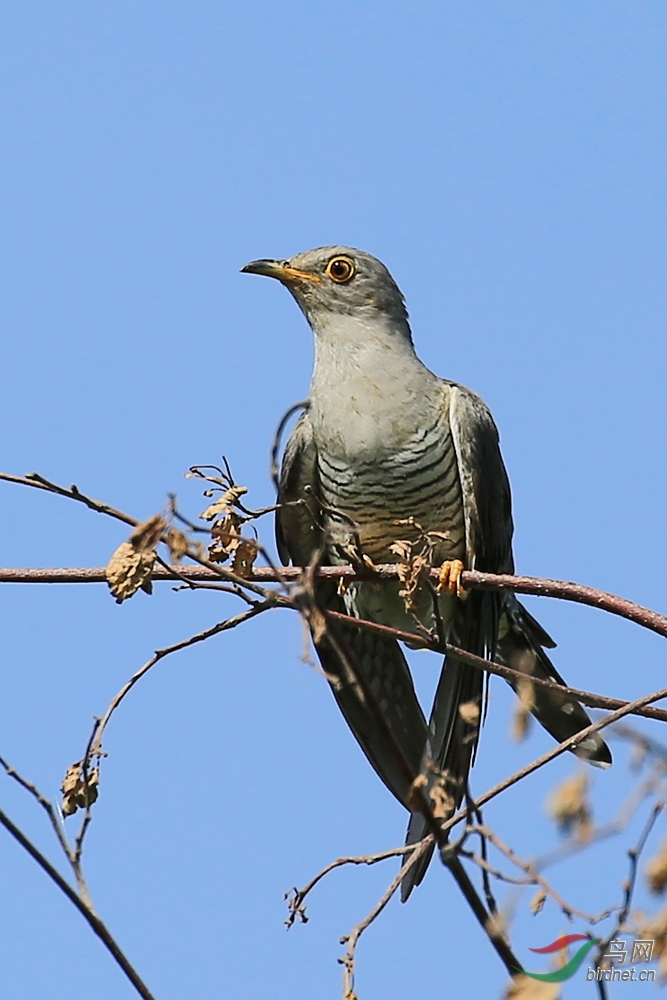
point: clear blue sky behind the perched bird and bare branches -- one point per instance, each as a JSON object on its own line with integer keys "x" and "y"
{"x": 507, "y": 162}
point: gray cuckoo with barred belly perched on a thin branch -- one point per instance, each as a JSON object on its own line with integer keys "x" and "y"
{"x": 385, "y": 451}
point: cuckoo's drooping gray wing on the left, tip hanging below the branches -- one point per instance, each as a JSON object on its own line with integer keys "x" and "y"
{"x": 368, "y": 673}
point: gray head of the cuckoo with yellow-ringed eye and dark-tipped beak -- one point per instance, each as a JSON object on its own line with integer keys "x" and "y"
{"x": 338, "y": 280}
